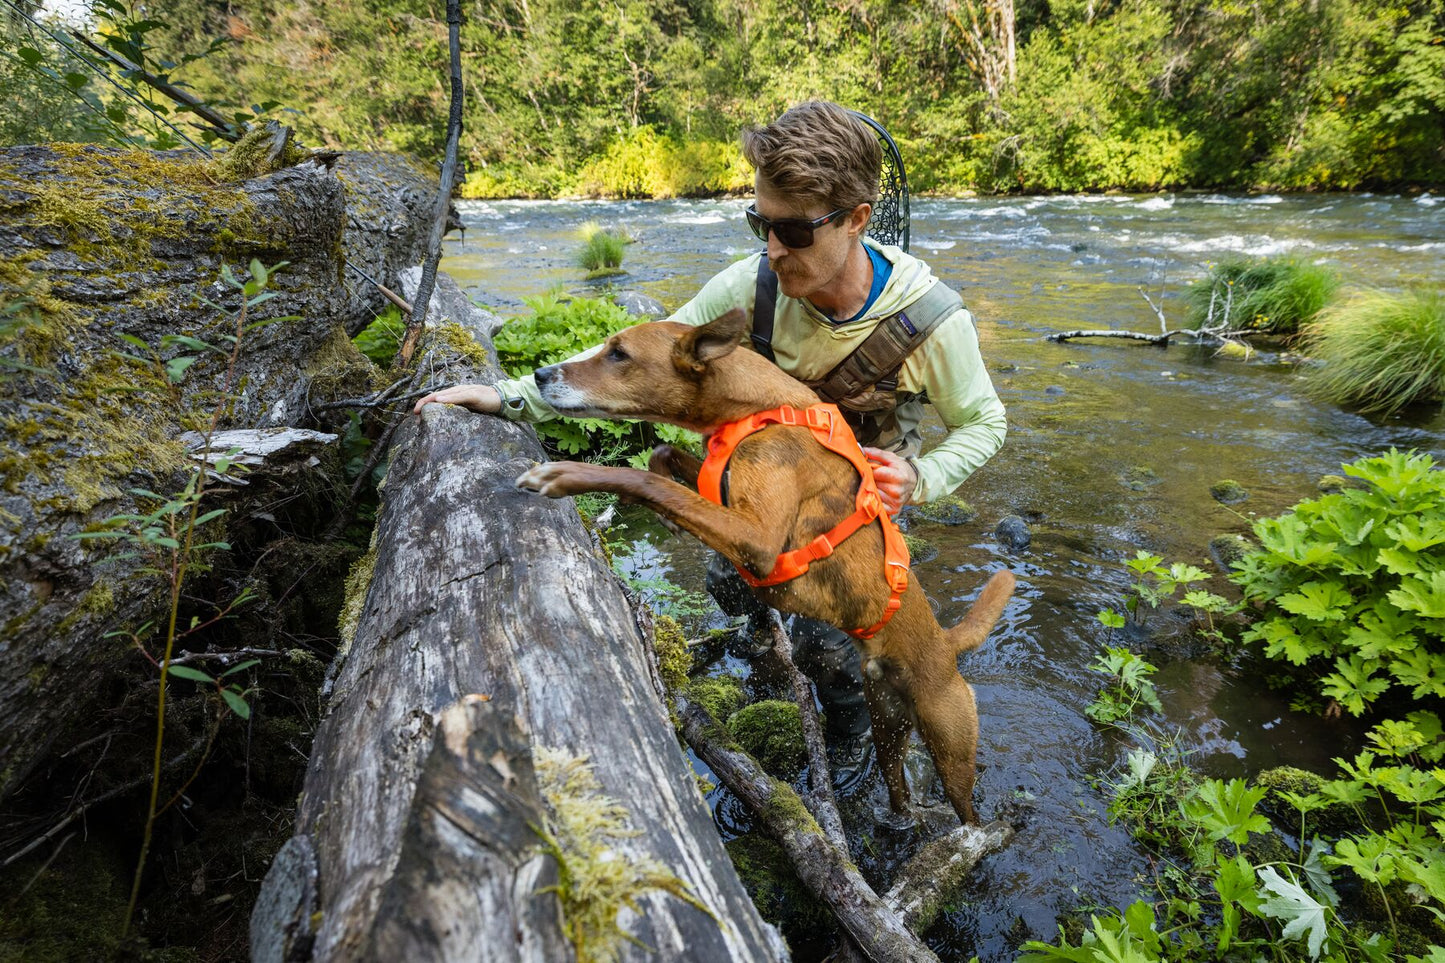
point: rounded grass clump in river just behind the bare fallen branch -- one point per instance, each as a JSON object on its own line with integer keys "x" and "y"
{"x": 1265, "y": 296}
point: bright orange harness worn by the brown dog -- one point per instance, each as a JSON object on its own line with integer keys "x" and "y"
{"x": 833, "y": 433}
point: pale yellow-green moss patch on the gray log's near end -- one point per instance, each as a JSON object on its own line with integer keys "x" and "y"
{"x": 596, "y": 878}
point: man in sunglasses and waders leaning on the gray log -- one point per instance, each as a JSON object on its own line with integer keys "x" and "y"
{"x": 823, "y": 291}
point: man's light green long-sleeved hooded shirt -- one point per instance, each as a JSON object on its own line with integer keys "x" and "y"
{"x": 807, "y": 345}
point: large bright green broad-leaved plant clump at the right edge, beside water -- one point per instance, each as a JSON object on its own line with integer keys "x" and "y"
{"x": 1350, "y": 588}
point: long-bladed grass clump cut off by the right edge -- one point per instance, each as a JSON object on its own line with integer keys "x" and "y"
{"x": 1381, "y": 352}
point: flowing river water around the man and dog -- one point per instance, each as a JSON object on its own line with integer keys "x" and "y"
{"x": 1112, "y": 449}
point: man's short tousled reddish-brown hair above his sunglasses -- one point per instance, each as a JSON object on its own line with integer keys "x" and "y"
{"x": 819, "y": 153}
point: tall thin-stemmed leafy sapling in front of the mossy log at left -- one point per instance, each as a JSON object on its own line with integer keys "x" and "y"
{"x": 168, "y": 540}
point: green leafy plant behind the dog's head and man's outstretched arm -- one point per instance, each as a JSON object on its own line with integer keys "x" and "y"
{"x": 556, "y": 332}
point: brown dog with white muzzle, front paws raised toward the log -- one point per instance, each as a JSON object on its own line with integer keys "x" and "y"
{"x": 784, "y": 491}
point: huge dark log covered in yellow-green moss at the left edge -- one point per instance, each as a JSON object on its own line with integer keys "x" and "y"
{"x": 98, "y": 244}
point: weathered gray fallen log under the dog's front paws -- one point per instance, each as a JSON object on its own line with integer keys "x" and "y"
{"x": 479, "y": 589}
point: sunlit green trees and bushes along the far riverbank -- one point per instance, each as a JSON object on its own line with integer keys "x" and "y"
{"x": 645, "y": 99}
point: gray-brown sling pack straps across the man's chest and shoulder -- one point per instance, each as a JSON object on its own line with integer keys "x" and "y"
{"x": 874, "y": 365}
